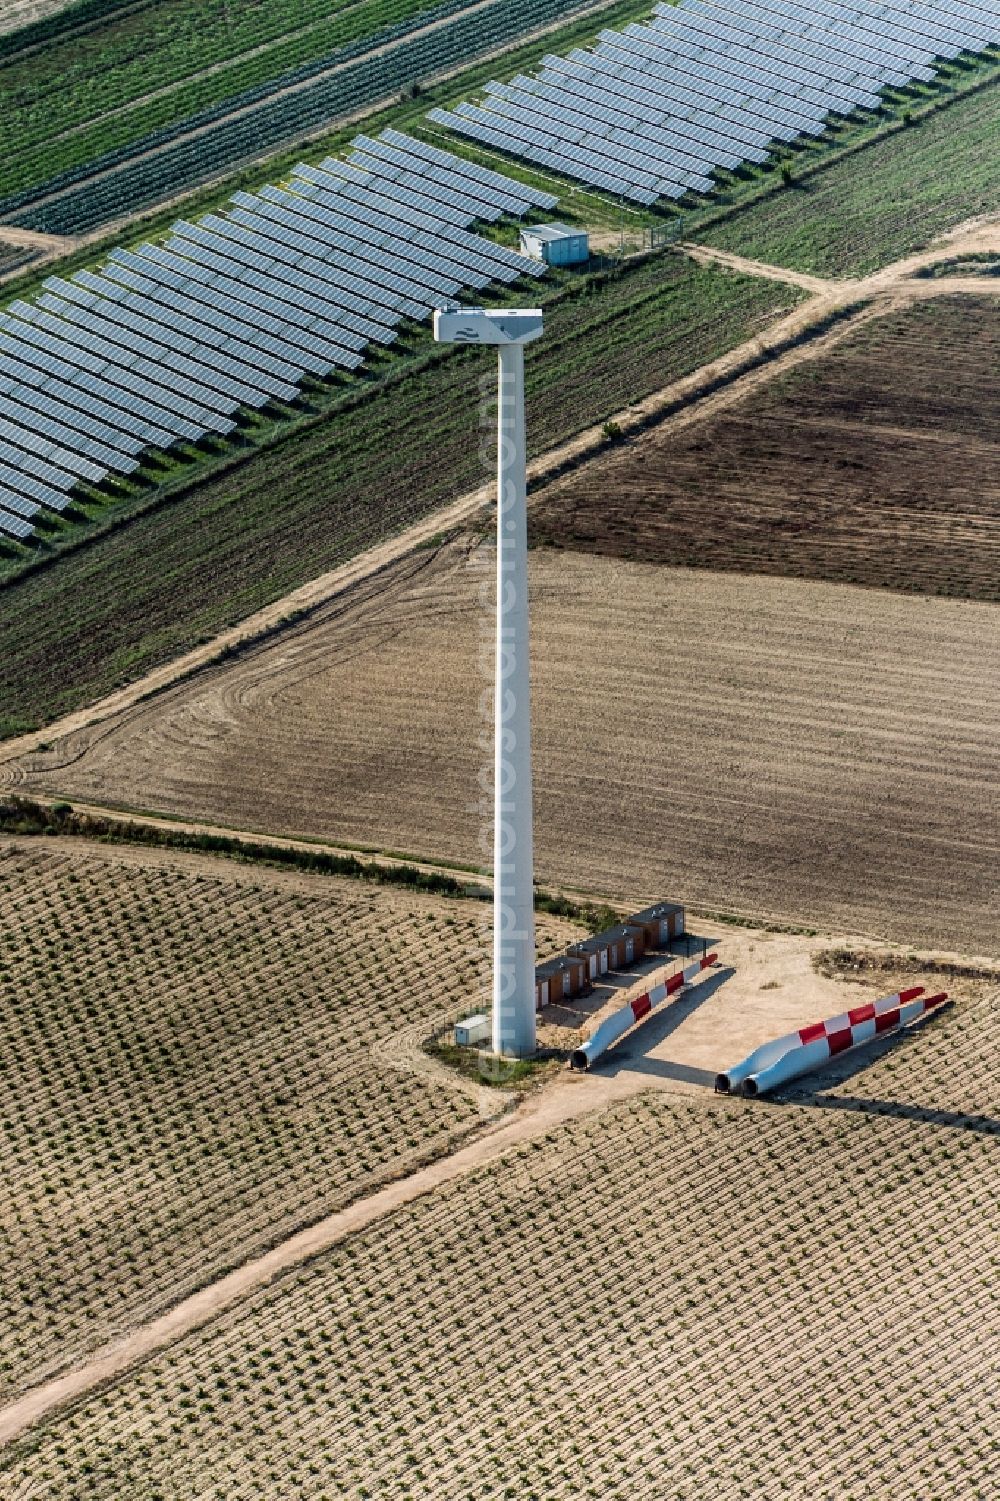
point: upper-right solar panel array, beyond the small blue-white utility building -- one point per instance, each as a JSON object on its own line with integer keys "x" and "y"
{"x": 651, "y": 112}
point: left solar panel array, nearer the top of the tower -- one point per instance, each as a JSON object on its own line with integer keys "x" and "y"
{"x": 169, "y": 343}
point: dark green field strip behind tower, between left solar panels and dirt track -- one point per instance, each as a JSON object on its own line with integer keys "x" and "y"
{"x": 109, "y": 612}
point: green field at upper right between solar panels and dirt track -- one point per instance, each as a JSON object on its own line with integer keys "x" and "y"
{"x": 881, "y": 203}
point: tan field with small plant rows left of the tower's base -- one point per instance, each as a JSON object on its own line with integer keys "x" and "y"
{"x": 196, "y": 1060}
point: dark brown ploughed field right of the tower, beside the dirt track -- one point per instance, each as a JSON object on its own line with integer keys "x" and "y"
{"x": 878, "y": 465}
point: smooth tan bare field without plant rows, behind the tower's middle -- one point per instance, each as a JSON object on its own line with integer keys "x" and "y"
{"x": 824, "y": 754}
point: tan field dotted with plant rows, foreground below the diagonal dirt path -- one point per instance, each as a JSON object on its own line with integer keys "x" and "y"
{"x": 732, "y": 1302}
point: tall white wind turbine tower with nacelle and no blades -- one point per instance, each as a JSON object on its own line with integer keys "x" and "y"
{"x": 513, "y": 867}
